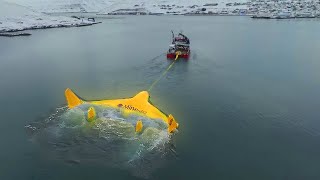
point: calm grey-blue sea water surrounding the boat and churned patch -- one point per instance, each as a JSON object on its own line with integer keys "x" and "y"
{"x": 247, "y": 101}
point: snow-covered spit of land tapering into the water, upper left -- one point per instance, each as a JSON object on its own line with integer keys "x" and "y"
{"x": 14, "y": 17}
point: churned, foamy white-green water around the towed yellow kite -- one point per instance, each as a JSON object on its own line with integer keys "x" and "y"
{"x": 110, "y": 140}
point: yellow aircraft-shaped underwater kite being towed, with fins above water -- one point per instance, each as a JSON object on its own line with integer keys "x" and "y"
{"x": 139, "y": 104}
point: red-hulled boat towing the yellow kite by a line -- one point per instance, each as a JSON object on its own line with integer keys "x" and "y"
{"x": 180, "y": 46}
